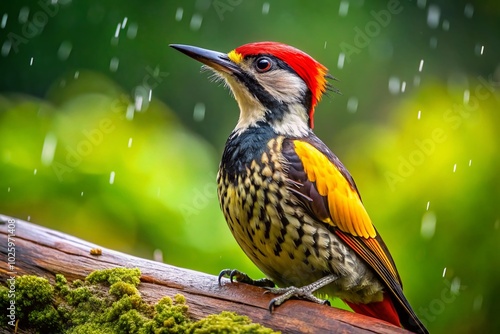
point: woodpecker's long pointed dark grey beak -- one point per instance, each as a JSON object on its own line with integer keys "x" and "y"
{"x": 217, "y": 60}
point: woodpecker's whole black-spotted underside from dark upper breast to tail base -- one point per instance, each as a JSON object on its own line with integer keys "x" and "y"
{"x": 278, "y": 216}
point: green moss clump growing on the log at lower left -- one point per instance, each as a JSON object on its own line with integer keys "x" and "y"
{"x": 108, "y": 301}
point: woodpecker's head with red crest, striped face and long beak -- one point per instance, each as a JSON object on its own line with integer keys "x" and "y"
{"x": 272, "y": 82}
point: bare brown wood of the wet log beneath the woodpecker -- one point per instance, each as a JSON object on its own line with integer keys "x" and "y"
{"x": 44, "y": 252}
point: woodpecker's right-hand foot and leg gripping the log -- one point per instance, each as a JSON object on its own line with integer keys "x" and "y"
{"x": 305, "y": 292}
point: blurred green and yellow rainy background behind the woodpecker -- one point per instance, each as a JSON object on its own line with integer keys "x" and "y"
{"x": 110, "y": 135}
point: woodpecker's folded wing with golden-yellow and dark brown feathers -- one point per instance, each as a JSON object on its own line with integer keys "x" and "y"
{"x": 331, "y": 196}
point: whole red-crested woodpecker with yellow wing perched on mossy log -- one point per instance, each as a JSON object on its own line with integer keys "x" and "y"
{"x": 290, "y": 203}
